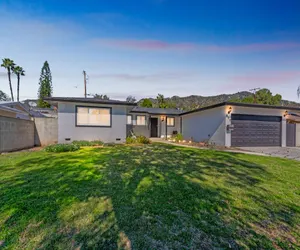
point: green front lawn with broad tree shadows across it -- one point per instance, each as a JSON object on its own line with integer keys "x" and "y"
{"x": 148, "y": 197}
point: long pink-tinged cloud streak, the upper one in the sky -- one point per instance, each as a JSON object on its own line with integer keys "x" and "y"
{"x": 158, "y": 45}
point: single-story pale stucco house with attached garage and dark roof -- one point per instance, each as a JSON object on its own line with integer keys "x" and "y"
{"x": 227, "y": 124}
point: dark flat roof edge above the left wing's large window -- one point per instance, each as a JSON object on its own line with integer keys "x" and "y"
{"x": 87, "y": 100}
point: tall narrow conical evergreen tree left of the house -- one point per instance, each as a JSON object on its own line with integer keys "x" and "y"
{"x": 45, "y": 89}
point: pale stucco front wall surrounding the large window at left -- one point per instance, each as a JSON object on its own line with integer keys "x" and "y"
{"x": 67, "y": 128}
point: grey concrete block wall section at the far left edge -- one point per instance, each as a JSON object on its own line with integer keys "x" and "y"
{"x": 15, "y": 134}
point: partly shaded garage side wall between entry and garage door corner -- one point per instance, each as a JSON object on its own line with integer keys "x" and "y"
{"x": 205, "y": 125}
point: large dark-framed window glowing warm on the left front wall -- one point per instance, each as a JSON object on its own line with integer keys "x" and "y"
{"x": 94, "y": 117}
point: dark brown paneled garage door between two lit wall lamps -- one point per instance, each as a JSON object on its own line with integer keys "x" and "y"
{"x": 255, "y": 131}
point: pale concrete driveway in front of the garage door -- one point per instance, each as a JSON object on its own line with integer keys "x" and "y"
{"x": 290, "y": 153}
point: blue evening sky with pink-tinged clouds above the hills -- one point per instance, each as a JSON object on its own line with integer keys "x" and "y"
{"x": 143, "y": 48}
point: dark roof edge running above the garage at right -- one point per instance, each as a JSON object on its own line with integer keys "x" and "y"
{"x": 249, "y": 105}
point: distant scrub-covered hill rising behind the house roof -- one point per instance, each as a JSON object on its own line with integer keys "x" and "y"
{"x": 196, "y": 101}
